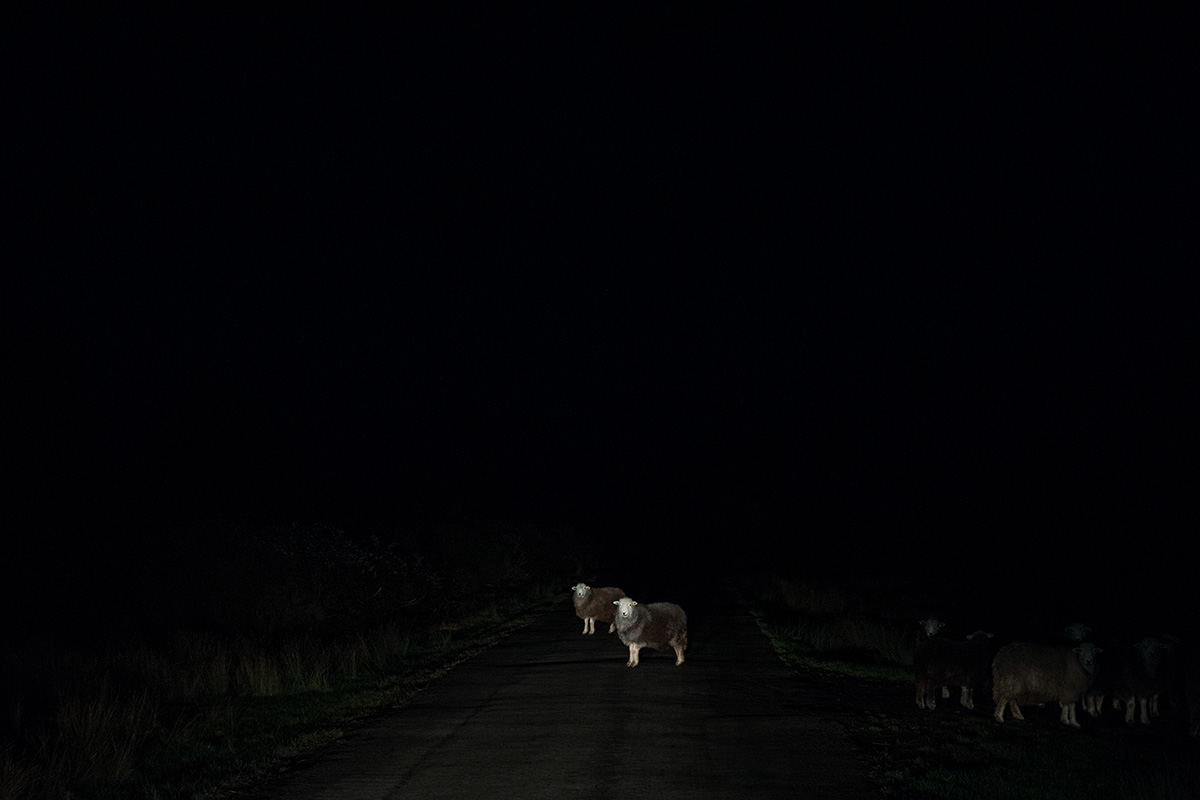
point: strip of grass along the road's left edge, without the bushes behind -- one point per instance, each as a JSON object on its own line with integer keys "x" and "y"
{"x": 207, "y": 736}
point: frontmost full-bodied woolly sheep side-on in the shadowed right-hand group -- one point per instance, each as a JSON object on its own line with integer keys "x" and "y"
{"x": 1037, "y": 673}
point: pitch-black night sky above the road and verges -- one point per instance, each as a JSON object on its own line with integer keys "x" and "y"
{"x": 877, "y": 278}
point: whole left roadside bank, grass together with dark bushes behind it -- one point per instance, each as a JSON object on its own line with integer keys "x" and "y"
{"x": 310, "y": 637}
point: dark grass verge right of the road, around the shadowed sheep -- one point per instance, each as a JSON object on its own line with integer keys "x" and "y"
{"x": 952, "y": 753}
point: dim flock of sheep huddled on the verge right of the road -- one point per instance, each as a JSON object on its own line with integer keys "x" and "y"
{"x": 1079, "y": 671}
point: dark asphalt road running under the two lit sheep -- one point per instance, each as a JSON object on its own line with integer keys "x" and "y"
{"x": 549, "y": 713}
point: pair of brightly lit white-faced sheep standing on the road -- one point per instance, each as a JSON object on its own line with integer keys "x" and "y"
{"x": 659, "y": 627}
